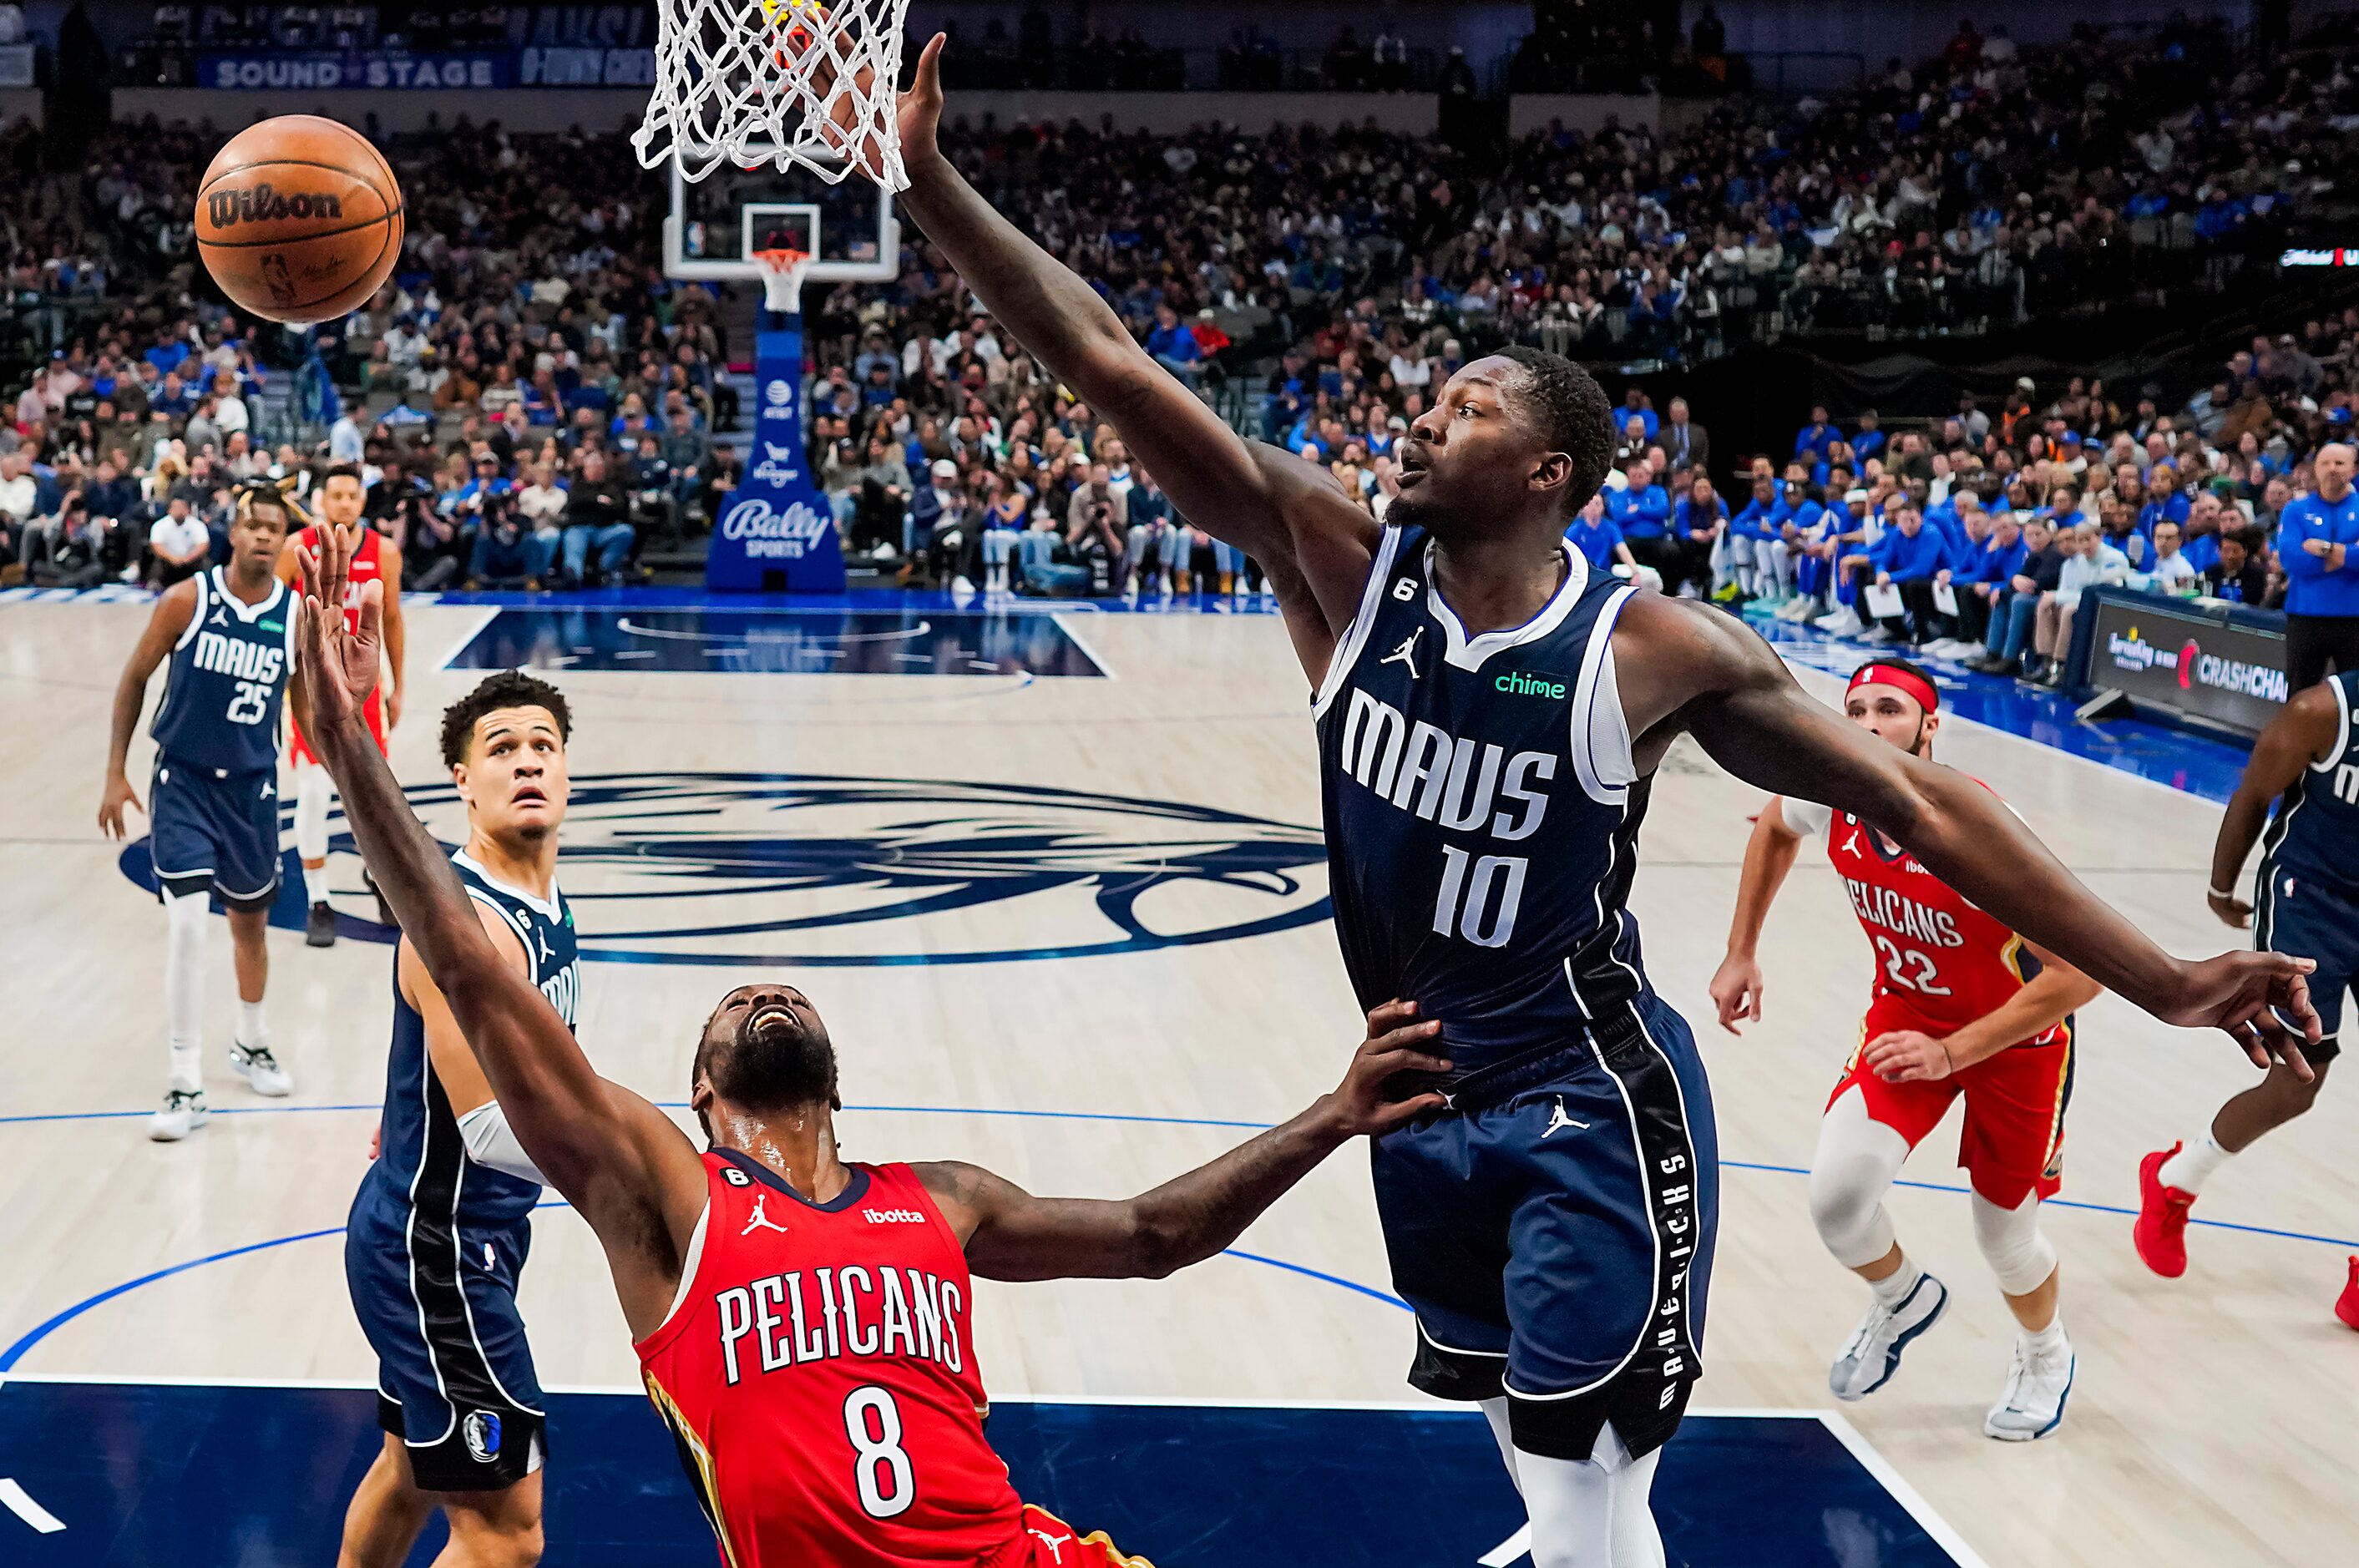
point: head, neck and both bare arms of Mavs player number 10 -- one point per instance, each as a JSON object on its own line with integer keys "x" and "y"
{"x": 1494, "y": 503}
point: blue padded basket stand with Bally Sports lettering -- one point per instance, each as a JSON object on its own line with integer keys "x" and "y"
{"x": 775, "y": 529}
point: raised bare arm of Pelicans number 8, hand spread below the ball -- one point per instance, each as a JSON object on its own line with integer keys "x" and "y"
{"x": 617, "y": 1159}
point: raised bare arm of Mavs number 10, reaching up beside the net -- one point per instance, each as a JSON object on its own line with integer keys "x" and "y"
{"x": 1284, "y": 513}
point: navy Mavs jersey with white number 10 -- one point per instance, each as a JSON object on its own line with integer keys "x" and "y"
{"x": 1483, "y": 810}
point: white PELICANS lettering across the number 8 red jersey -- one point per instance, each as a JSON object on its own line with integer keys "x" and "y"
{"x": 820, "y": 1315}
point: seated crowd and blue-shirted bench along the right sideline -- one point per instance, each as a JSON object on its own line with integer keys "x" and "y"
{"x": 1978, "y": 536}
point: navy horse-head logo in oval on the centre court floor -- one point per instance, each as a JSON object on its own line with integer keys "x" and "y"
{"x": 829, "y": 871}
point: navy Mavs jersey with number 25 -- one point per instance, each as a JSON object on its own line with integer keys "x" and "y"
{"x": 225, "y": 680}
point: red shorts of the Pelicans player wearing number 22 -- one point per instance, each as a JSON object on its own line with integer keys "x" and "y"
{"x": 2013, "y": 1138}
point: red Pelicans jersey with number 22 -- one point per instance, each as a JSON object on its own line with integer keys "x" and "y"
{"x": 1940, "y": 963}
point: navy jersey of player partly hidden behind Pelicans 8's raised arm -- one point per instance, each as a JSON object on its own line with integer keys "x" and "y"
{"x": 423, "y": 1161}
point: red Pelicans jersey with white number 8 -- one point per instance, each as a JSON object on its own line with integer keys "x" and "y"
{"x": 820, "y": 1378}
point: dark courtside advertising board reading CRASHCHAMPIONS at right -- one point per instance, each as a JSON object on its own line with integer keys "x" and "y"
{"x": 2204, "y": 666}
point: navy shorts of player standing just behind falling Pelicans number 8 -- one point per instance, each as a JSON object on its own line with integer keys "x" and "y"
{"x": 438, "y": 1303}
